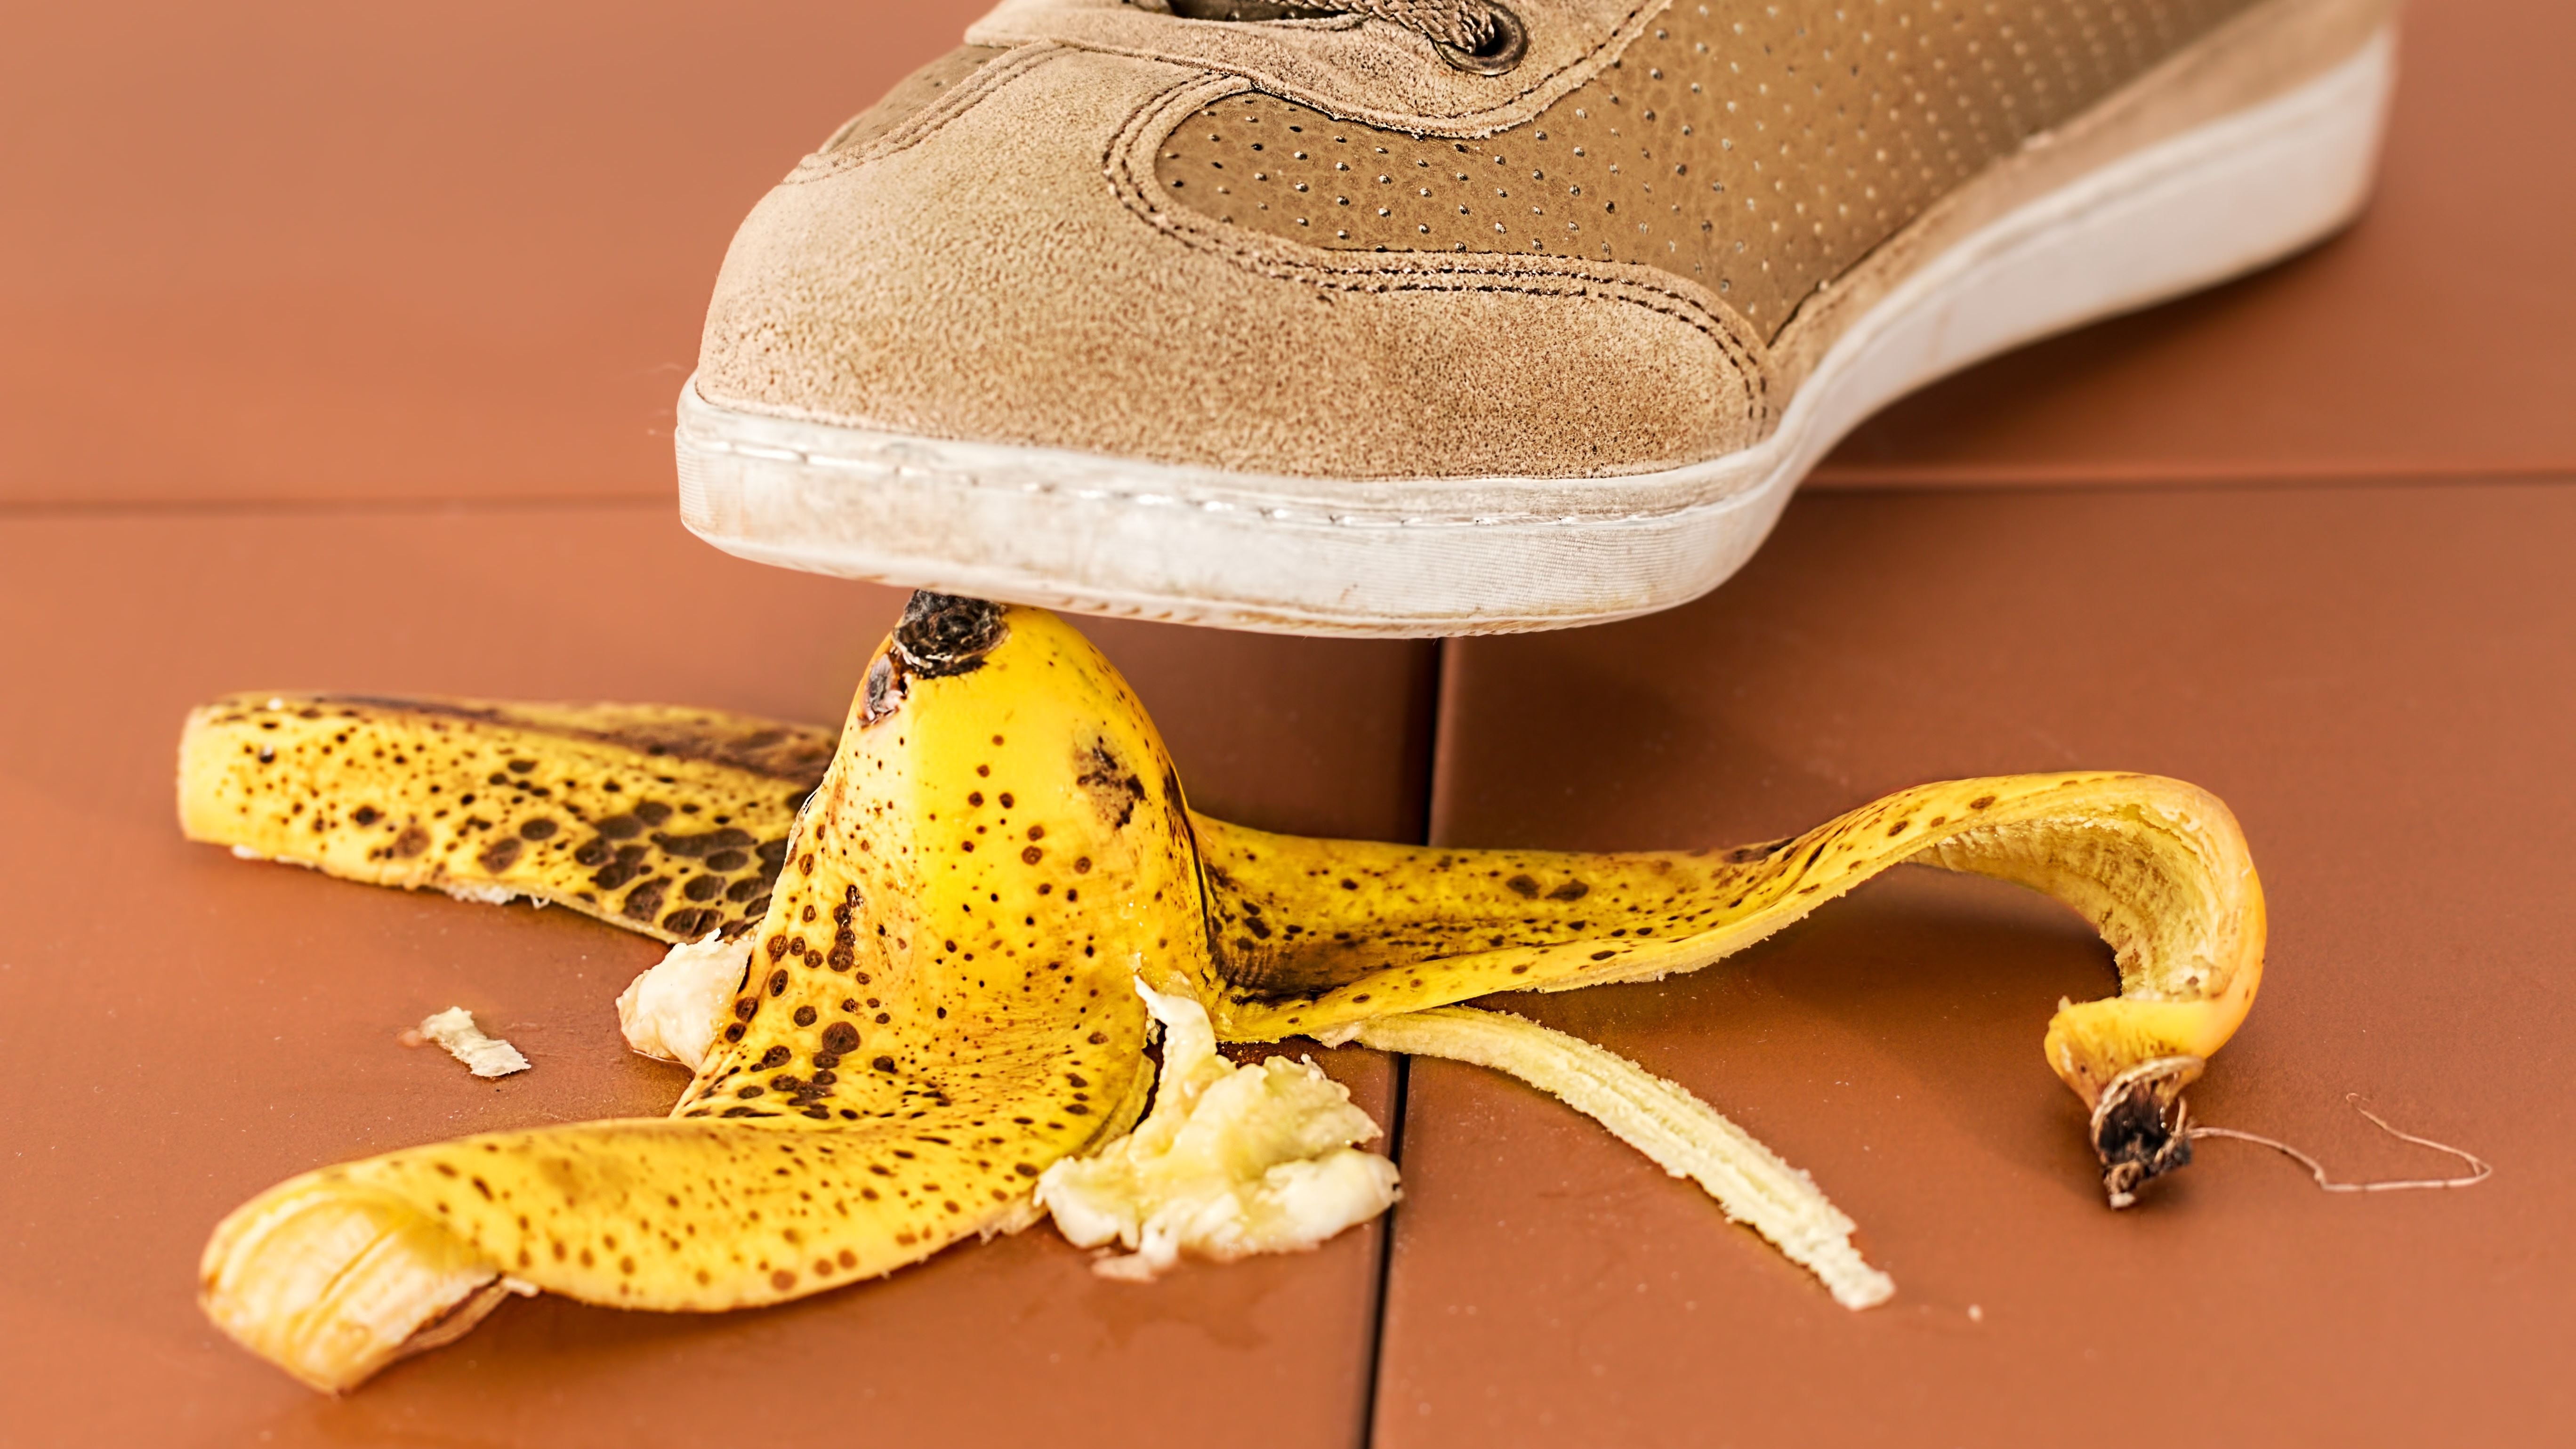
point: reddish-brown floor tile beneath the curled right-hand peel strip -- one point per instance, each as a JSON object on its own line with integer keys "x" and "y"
{"x": 2379, "y": 682}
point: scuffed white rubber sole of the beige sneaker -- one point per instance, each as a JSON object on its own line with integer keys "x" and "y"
{"x": 1488, "y": 556}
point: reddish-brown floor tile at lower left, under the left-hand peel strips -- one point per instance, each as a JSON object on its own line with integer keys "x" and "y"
{"x": 187, "y": 1030}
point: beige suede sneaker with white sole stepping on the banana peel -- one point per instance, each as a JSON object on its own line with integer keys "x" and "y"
{"x": 1462, "y": 316}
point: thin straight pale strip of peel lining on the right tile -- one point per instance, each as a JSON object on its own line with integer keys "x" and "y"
{"x": 1658, "y": 1118}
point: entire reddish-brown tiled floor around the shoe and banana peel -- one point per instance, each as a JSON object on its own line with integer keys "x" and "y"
{"x": 279, "y": 272}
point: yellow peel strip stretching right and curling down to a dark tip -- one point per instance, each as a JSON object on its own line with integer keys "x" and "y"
{"x": 2155, "y": 865}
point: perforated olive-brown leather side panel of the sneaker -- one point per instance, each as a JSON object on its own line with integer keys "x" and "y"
{"x": 1756, "y": 148}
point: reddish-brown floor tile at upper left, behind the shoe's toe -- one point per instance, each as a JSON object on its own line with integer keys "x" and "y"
{"x": 290, "y": 249}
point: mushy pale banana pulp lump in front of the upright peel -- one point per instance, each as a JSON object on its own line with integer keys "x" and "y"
{"x": 1233, "y": 1162}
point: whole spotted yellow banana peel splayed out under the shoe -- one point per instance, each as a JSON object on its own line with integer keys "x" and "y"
{"x": 944, "y": 927}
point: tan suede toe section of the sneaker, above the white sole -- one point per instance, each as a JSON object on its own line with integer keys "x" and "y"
{"x": 998, "y": 267}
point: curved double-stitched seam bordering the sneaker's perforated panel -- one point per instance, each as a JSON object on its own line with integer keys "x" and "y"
{"x": 1421, "y": 272}
